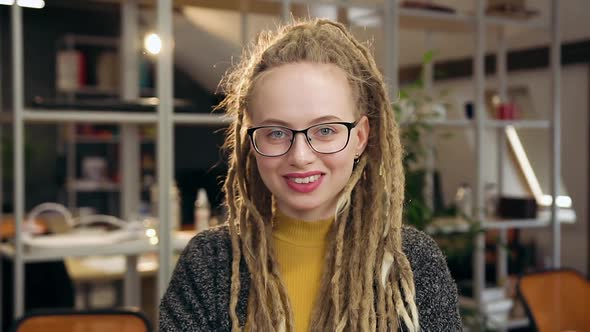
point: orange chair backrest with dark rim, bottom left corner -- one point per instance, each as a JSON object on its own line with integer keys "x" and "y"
{"x": 69, "y": 320}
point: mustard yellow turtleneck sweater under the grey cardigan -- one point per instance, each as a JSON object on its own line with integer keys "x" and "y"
{"x": 300, "y": 247}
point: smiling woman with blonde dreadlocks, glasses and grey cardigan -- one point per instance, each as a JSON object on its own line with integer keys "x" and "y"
{"x": 314, "y": 237}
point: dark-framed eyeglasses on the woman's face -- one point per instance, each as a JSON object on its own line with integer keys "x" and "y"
{"x": 325, "y": 138}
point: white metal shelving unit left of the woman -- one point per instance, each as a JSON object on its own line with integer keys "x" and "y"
{"x": 164, "y": 118}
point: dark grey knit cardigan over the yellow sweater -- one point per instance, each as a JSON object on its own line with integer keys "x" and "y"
{"x": 198, "y": 296}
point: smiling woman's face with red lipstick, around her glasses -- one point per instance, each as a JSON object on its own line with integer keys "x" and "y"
{"x": 306, "y": 184}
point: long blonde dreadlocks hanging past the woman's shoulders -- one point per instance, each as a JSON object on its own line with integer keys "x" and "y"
{"x": 368, "y": 288}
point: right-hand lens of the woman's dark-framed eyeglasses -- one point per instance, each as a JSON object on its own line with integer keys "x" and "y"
{"x": 328, "y": 137}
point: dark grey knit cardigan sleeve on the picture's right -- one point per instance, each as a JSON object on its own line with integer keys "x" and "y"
{"x": 436, "y": 291}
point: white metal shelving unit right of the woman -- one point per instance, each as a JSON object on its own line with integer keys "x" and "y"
{"x": 480, "y": 25}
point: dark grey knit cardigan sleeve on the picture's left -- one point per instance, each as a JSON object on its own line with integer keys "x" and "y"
{"x": 197, "y": 298}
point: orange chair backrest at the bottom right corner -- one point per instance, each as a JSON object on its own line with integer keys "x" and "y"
{"x": 556, "y": 300}
